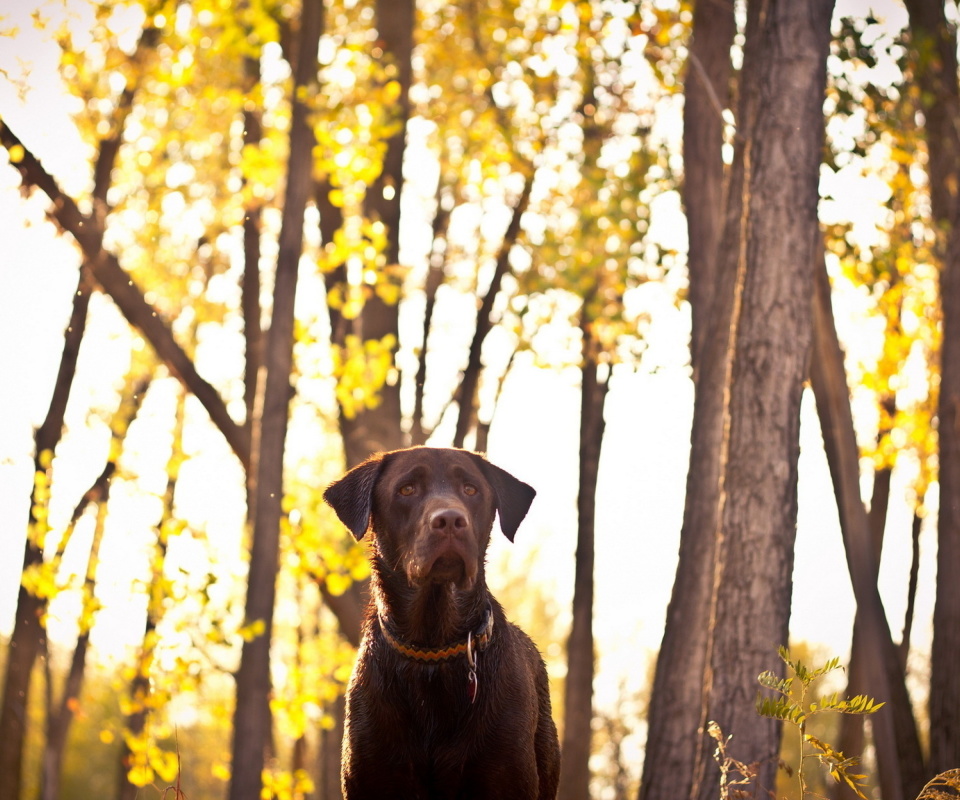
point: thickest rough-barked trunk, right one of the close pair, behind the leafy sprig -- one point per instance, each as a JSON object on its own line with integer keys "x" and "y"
{"x": 784, "y": 77}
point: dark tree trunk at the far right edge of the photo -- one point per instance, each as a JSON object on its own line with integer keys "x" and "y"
{"x": 935, "y": 41}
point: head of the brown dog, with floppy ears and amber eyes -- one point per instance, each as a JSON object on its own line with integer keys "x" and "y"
{"x": 432, "y": 510}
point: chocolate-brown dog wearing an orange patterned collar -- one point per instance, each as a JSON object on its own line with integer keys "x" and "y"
{"x": 447, "y": 700}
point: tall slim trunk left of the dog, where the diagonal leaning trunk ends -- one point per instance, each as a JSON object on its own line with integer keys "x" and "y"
{"x": 252, "y": 724}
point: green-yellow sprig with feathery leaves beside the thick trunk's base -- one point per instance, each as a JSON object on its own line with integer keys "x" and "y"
{"x": 798, "y": 711}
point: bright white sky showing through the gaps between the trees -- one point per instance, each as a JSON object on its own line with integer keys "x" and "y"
{"x": 645, "y": 450}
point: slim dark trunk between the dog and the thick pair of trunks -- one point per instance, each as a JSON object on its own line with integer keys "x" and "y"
{"x": 578, "y": 687}
